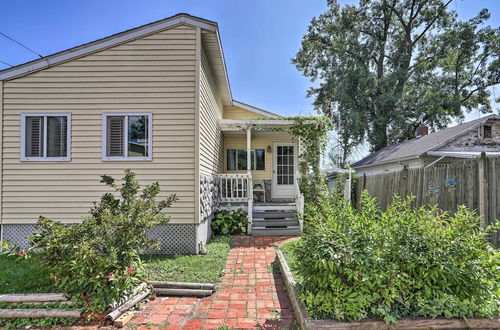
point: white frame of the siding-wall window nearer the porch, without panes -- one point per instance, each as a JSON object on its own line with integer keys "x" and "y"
{"x": 125, "y": 140}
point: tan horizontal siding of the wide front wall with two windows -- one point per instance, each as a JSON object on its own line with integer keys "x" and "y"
{"x": 153, "y": 74}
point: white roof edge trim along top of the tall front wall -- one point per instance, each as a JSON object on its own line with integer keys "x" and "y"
{"x": 106, "y": 42}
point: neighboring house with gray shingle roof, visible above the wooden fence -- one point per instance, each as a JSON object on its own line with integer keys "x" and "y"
{"x": 467, "y": 140}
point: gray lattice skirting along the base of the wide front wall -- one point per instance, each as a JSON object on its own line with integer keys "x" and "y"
{"x": 173, "y": 238}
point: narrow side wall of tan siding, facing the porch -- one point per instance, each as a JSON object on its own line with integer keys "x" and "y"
{"x": 211, "y": 142}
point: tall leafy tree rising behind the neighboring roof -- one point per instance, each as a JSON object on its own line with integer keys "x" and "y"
{"x": 385, "y": 66}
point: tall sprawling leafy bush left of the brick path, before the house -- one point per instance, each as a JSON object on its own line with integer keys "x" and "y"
{"x": 99, "y": 258}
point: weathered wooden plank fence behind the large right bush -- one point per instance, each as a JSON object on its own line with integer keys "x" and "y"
{"x": 474, "y": 183}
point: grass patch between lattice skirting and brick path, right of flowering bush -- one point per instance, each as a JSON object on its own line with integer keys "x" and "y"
{"x": 191, "y": 268}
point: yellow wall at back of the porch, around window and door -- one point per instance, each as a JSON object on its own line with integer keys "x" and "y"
{"x": 240, "y": 142}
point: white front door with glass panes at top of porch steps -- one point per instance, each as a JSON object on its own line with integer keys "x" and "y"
{"x": 284, "y": 168}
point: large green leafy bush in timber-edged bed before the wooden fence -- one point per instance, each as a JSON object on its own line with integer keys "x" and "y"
{"x": 402, "y": 262}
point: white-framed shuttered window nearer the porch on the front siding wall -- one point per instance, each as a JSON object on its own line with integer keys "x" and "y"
{"x": 127, "y": 136}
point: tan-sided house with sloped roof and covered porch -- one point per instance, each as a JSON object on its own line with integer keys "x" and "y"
{"x": 155, "y": 99}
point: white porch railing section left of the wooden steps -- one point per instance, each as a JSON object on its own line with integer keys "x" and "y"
{"x": 235, "y": 187}
